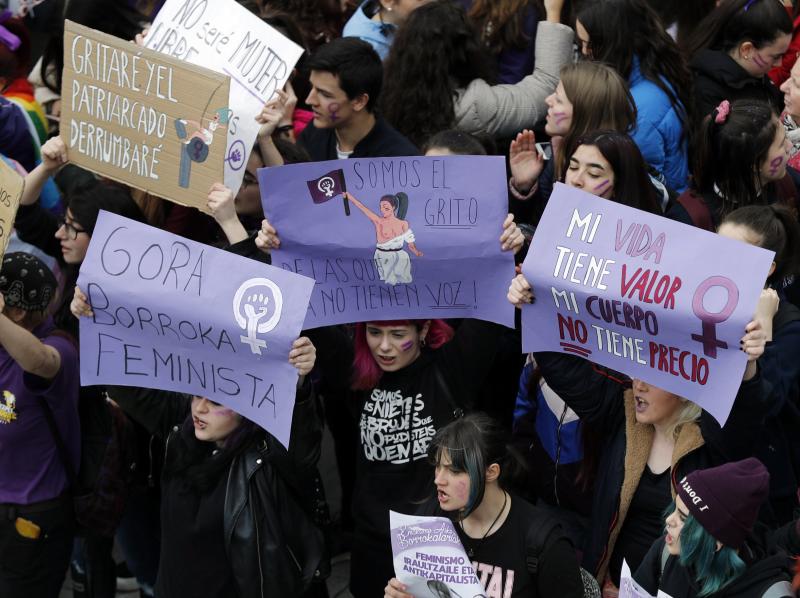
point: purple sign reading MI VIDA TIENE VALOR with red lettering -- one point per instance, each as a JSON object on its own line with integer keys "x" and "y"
{"x": 626, "y": 289}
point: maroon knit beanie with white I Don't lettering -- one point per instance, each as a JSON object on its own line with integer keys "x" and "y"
{"x": 725, "y": 499}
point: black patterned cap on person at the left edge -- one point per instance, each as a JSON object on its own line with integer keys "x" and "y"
{"x": 26, "y": 282}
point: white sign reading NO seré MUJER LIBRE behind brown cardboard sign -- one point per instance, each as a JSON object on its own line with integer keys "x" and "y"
{"x": 224, "y": 36}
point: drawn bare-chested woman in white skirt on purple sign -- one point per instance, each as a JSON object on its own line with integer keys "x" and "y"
{"x": 391, "y": 232}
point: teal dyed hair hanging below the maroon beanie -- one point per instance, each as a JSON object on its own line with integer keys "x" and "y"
{"x": 714, "y": 569}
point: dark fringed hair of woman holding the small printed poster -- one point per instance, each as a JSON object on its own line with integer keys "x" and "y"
{"x": 473, "y": 443}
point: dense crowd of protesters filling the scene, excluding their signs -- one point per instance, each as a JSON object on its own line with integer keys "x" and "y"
{"x": 555, "y": 471}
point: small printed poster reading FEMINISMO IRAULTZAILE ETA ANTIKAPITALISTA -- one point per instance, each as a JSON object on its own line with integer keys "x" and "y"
{"x": 429, "y": 558}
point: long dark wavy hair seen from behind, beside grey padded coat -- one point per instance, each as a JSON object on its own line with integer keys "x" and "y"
{"x": 435, "y": 52}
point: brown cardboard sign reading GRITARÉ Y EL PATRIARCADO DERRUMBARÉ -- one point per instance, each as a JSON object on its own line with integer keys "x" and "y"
{"x": 140, "y": 117}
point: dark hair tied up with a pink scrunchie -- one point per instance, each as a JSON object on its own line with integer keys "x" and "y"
{"x": 729, "y": 154}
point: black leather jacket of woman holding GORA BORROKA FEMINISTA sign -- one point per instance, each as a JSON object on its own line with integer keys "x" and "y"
{"x": 267, "y": 556}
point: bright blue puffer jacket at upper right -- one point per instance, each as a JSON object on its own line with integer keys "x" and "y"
{"x": 659, "y": 130}
